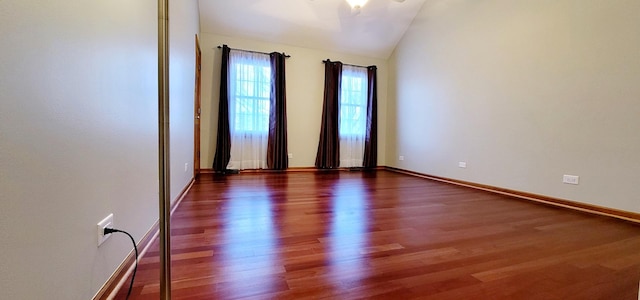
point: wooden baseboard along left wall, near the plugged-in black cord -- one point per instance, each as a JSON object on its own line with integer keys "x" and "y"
{"x": 117, "y": 280}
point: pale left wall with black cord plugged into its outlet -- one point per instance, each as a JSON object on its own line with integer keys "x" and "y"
{"x": 78, "y": 137}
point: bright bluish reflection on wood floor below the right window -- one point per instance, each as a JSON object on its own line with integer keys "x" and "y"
{"x": 348, "y": 236}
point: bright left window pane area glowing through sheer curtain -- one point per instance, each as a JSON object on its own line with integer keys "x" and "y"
{"x": 250, "y": 89}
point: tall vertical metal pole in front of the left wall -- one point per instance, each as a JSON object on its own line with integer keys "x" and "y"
{"x": 163, "y": 146}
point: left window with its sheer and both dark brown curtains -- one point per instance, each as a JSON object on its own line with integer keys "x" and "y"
{"x": 252, "y": 131}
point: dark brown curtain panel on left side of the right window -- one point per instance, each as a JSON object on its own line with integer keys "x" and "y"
{"x": 329, "y": 146}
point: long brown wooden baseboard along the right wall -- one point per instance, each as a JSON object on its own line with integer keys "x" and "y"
{"x": 593, "y": 209}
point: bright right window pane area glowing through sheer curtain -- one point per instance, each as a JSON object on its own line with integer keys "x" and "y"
{"x": 353, "y": 102}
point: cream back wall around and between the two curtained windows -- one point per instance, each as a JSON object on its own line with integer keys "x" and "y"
{"x": 305, "y": 84}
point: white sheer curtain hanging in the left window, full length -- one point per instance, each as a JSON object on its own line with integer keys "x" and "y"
{"x": 249, "y": 106}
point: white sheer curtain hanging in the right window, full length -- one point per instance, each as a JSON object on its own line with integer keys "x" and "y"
{"x": 352, "y": 115}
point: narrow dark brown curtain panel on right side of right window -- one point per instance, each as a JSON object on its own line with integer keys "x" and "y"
{"x": 371, "y": 135}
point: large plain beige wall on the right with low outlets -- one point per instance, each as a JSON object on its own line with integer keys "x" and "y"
{"x": 524, "y": 92}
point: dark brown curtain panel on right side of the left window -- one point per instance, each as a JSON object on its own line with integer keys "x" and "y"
{"x": 277, "y": 143}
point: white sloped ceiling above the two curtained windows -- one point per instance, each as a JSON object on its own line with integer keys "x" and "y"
{"x": 318, "y": 24}
